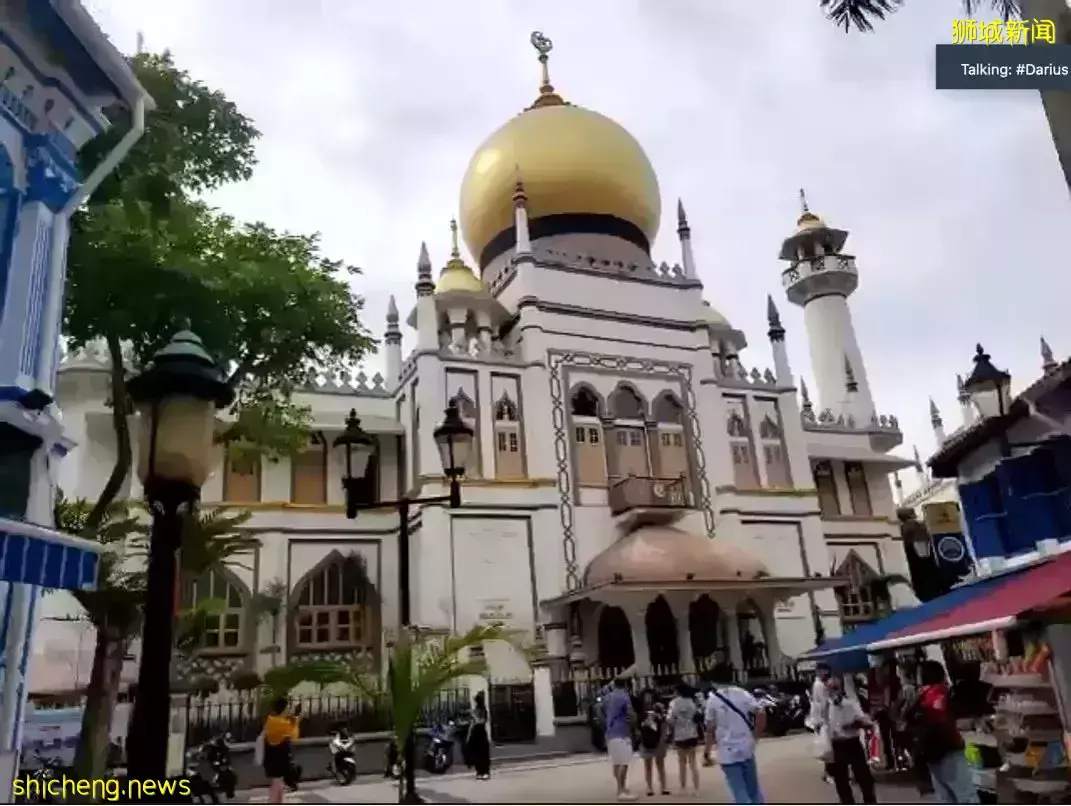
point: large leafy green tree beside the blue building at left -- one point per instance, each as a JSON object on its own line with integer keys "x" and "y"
{"x": 145, "y": 255}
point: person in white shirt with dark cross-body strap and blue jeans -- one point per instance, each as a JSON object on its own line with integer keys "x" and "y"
{"x": 735, "y": 720}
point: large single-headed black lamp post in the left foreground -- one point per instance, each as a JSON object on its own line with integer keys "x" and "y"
{"x": 177, "y": 398}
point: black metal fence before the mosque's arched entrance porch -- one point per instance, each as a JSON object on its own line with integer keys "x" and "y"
{"x": 576, "y": 690}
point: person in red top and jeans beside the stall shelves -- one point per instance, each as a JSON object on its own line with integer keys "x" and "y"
{"x": 939, "y": 743}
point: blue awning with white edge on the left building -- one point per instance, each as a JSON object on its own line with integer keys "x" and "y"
{"x": 43, "y": 557}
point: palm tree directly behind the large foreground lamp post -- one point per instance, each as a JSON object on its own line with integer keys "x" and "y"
{"x": 115, "y": 607}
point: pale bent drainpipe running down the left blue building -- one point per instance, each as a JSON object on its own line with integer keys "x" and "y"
{"x": 57, "y": 252}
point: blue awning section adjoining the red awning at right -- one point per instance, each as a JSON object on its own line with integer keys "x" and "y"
{"x": 849, "y": 652}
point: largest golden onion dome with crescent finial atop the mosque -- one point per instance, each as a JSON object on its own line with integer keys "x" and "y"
{"x": 572, "y": 161}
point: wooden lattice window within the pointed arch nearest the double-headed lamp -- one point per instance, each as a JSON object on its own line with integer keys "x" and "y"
{"x": 337, "y": 609}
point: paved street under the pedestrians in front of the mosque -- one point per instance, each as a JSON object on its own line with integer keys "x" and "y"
{"x": 789, "y": 773}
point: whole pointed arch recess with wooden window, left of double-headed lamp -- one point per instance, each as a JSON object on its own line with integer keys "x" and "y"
{"x": 334, "y": 600}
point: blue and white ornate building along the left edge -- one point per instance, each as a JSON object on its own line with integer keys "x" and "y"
{"x": 59, "y": 75}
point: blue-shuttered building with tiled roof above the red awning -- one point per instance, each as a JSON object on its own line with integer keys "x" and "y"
{"x": 1014, "y": 468}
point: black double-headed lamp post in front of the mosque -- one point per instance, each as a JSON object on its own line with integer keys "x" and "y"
{"x": 455, "y": 440}
